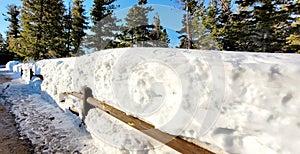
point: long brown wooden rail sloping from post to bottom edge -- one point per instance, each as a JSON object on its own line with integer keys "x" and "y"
{"x": 174, "y": 142}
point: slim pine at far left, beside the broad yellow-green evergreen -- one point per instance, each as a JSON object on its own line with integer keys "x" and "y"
{"x": 13, "y": 33}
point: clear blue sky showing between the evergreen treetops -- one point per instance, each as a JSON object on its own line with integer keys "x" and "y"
{"x": 168, "y": 11}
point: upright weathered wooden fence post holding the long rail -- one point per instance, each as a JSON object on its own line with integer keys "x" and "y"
{"x": 87, "y": 92}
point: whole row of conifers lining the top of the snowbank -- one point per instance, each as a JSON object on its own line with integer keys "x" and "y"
{"x": 41, "y": 29}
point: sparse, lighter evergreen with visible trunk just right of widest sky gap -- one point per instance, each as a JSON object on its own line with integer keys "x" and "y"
{"x": 194, "y": 34}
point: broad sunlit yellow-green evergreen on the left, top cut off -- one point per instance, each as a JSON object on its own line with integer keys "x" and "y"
{"x": 43, "y": 29}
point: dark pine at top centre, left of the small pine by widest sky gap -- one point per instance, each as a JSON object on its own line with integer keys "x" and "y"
{"x": 138, "y": 29}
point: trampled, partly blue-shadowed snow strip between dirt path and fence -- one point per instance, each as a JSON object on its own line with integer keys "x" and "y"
{"x": 50, "y": 129}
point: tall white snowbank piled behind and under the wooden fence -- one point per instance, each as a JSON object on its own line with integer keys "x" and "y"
{"x": 240, "y": 102}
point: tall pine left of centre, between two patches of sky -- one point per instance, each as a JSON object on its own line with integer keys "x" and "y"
{"x": 105, "y": 25}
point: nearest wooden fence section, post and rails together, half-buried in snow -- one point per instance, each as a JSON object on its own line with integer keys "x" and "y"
{"x": 172, "y": 141}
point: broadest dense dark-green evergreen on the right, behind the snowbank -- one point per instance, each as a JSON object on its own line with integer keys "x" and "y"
{"x": 262, "y": 26}
